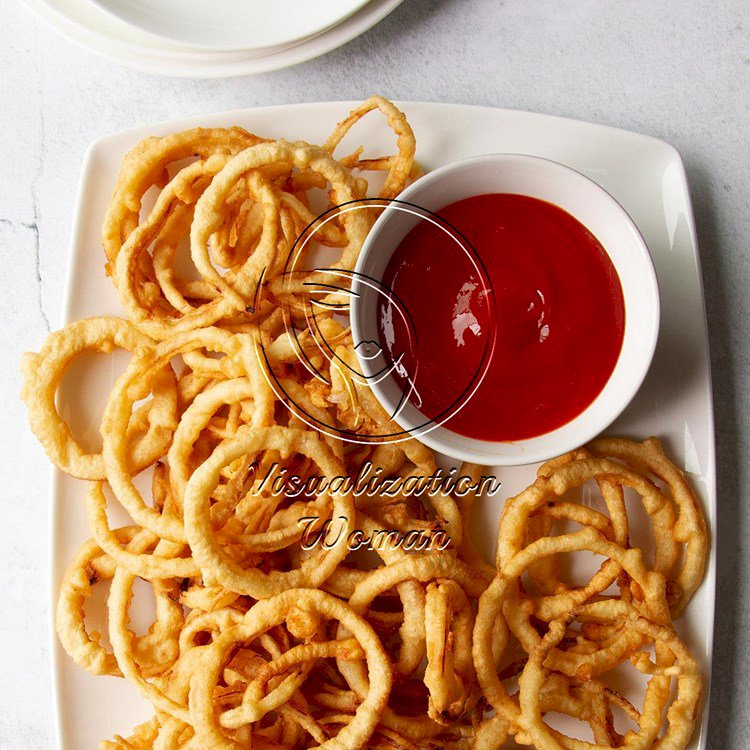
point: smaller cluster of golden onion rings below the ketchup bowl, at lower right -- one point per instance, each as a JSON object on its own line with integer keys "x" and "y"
{"x": 542, "y": 644}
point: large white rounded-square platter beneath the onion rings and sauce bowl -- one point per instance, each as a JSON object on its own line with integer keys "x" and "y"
{"x": 644, "y": 174}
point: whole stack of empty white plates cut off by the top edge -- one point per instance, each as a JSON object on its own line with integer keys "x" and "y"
{"x": 216, "y": 39}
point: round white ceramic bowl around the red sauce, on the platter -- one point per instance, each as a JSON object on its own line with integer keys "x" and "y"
{"x": 600, "y": 214}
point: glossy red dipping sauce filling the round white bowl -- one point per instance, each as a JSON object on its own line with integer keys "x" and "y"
{"x": 555, "y": 307}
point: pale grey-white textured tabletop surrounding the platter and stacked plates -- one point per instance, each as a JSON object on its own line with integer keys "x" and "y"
{"x": 678, "y": 69}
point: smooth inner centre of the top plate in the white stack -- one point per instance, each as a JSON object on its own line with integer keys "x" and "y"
{"x": 232, "y": 24}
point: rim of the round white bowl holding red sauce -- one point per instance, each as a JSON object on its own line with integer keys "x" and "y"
{"x": 466, "y": 448}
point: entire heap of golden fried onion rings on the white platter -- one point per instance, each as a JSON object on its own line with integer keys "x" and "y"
{"x": 259, "y": 640}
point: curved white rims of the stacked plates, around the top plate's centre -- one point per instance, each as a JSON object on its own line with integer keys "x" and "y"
{"x": 90, "y": 26}
